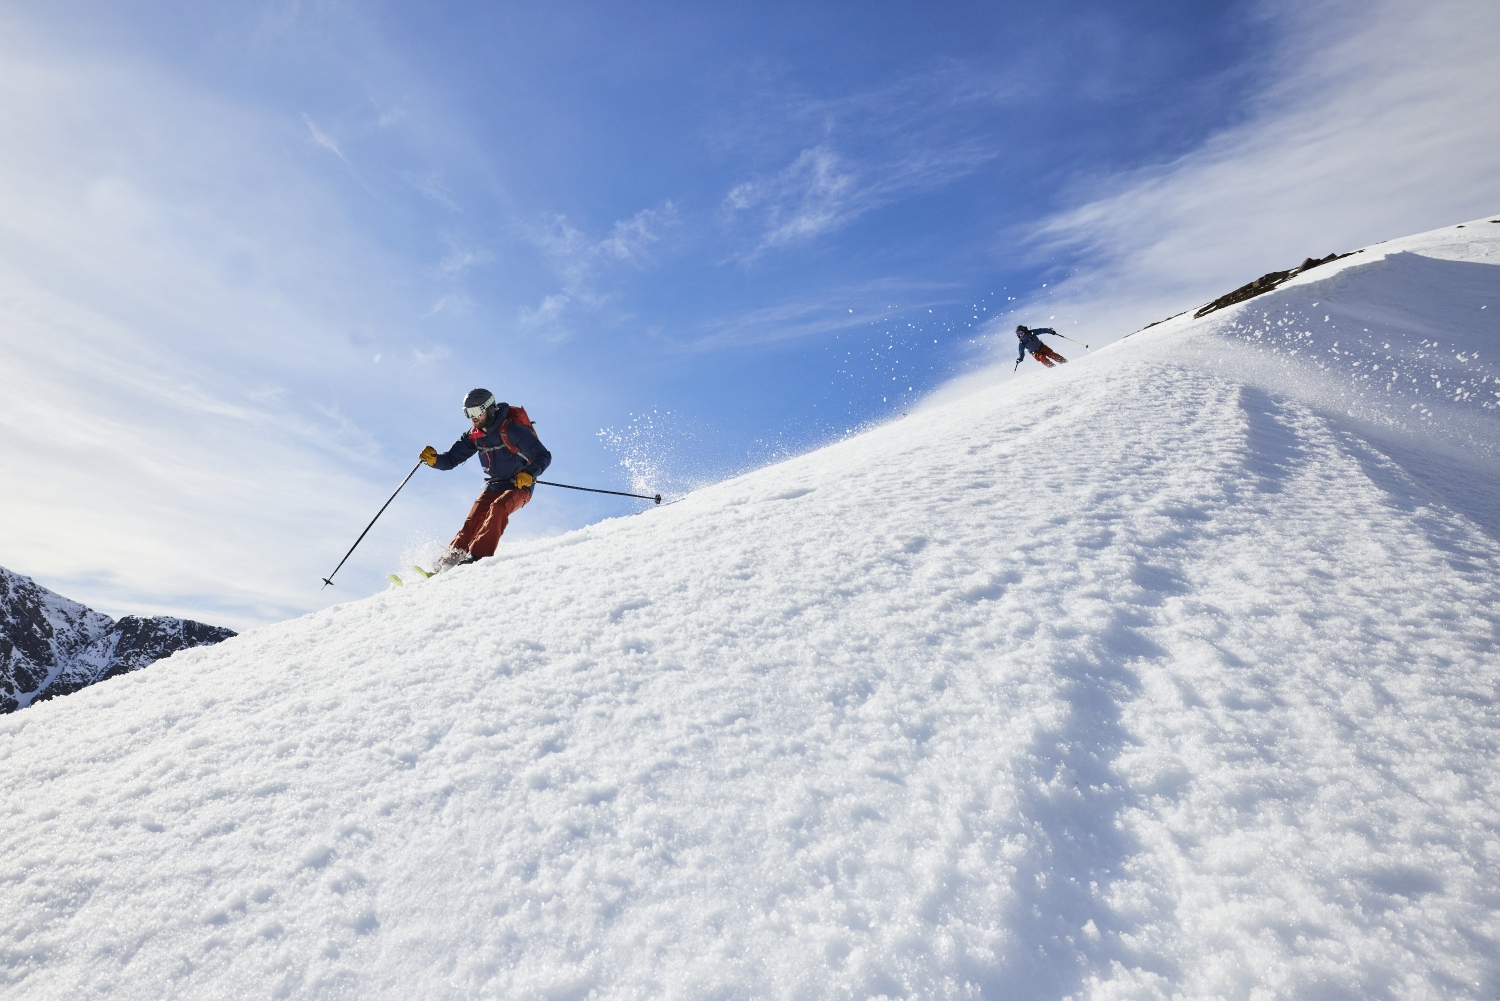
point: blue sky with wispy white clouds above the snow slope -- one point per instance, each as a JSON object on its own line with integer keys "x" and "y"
{"x": 253, "y": 257}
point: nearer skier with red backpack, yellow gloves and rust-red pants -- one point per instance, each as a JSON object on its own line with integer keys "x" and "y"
{"x": 512, "y": 457}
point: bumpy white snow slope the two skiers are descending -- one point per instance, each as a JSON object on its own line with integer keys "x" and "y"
{"x": 1171, "y": 673}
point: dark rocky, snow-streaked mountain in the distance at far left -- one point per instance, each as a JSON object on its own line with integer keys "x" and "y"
{"x": 52, "y": 646}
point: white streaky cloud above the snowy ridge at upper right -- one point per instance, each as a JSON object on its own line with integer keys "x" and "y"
{"x": 1382, "y": 122}
